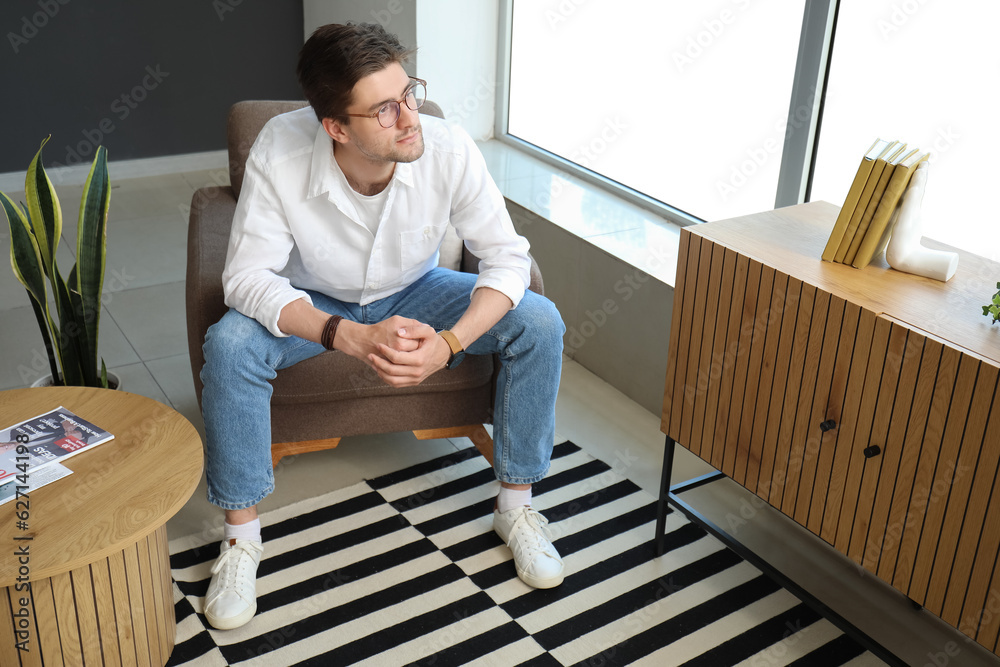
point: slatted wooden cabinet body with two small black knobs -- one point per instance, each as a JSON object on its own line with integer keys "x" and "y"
{"x": 860, "y": 403}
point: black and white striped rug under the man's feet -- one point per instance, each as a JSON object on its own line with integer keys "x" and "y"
{"x": 406, "y": 570}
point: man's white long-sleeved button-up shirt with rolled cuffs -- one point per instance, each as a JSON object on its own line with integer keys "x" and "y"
{"x": 297, "y": 228}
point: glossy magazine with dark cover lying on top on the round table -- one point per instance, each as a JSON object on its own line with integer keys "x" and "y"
{"x": 53, "y": 436}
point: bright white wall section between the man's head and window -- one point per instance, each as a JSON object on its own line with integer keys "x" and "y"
{"x": 458, "y": 58}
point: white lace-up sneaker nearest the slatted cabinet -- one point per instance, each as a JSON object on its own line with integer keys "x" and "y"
{"x": 524, "y": 530}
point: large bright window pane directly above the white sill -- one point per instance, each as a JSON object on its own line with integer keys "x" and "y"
{"x": 684, "y": 102}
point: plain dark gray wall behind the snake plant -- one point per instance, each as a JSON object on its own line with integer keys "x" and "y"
{"x": 142, "y": 79}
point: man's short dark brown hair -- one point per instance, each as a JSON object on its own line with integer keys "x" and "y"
{"x": 337, "y": 56}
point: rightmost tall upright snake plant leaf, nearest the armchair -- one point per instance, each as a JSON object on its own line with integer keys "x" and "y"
{"x": 91, "y": 241}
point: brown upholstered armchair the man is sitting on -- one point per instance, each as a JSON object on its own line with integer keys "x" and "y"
{"x": 321, "y": 400}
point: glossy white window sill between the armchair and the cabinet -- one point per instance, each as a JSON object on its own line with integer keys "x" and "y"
{"x": 620, "y": 228}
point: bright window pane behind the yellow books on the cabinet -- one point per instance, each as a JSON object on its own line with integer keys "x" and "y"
{"x": 923, "y": 73}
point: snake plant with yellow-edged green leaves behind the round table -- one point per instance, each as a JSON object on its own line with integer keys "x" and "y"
{"x": 70, "y": 320}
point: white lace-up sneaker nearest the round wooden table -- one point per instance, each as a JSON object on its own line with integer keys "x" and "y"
{"x": 231, "y": 600}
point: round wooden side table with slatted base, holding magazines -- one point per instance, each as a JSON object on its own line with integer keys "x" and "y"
{"x": 96, "y": 540}
